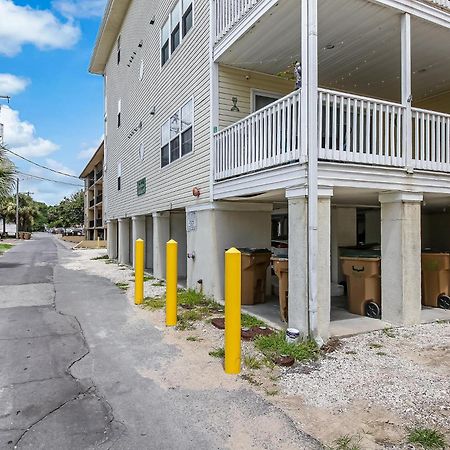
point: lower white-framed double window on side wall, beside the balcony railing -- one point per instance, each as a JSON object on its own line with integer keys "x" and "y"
{"x": 177, "y": 135}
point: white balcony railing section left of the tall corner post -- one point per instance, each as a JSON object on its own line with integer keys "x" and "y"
{"x": 267, "y": 138}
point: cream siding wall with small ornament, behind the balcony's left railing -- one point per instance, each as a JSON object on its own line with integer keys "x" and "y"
{"x": 239, "y": 83}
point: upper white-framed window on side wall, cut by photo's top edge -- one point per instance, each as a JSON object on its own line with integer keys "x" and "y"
{"x": 175, "y": 28}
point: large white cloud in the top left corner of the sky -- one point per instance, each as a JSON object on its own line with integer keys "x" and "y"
{"x": 21, "y": 25}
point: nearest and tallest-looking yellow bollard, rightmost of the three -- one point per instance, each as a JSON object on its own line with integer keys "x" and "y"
{"x": 232, "y": 311}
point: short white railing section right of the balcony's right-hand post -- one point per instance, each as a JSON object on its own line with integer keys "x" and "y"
{"x": 431, "y": 140}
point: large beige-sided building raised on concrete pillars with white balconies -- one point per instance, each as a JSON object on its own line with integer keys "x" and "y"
{"x": 208, "y": 137}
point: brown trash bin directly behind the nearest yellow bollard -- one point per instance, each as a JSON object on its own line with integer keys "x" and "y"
{"x": 254, "y": 264}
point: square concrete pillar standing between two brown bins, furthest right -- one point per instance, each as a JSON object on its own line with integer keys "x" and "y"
{"x": 400, "y": 257}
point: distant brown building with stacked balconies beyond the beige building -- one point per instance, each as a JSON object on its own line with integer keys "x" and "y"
{"x": 94, "y": 216}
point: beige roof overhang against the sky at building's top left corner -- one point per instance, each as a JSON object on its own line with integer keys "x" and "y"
{"x": 109, "y": 29}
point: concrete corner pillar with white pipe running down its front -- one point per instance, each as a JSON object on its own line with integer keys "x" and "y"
{"x": 302, "y": 313}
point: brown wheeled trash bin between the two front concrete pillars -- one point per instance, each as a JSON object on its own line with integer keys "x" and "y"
{"x": 363, "y": 285}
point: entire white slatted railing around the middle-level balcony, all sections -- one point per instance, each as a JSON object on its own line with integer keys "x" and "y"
{"x": 352, "y": 129}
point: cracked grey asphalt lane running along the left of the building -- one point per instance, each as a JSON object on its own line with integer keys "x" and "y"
{"x": 70, "y": 349}
